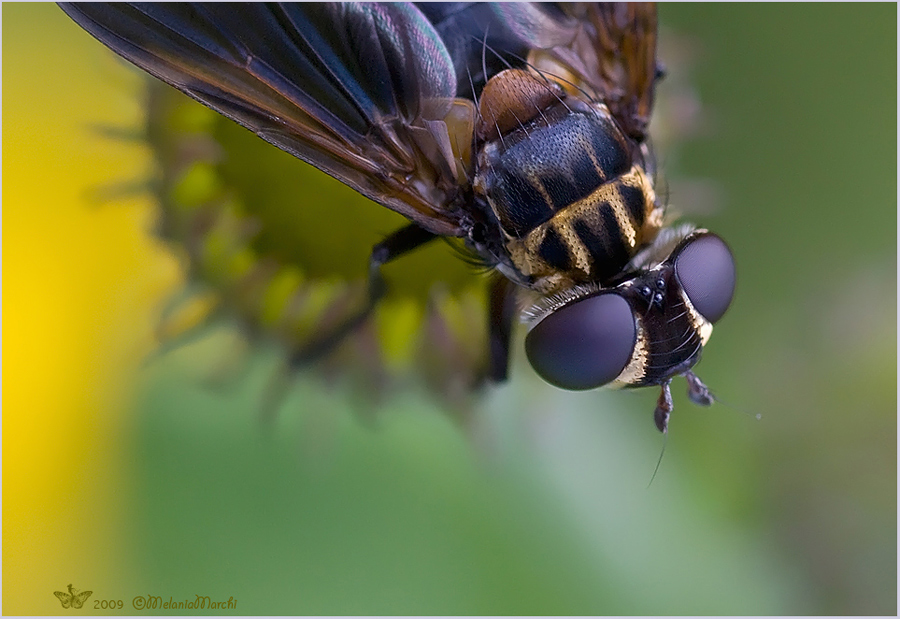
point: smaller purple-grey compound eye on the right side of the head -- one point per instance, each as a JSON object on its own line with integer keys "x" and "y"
{"x": 705, "y": 268}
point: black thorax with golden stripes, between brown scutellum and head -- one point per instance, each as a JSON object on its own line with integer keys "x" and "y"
{"x": 573, "y": 205}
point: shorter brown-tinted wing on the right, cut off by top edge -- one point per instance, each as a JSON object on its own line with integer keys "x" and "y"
{"x": 609, "y": 48}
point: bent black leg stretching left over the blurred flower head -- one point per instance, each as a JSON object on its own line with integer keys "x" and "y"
{"x": 397, "y": 244}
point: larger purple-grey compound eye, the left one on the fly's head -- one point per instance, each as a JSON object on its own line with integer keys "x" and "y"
{"x": 583, "y": 345}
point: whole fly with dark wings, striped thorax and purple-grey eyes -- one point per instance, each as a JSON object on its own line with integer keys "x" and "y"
{"x": 520, "y": 129}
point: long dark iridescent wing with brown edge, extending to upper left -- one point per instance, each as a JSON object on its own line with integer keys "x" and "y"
{"x": 360, "y": 91}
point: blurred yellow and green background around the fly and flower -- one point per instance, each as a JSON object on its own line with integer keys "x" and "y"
{"x": 130, "y": 478}
